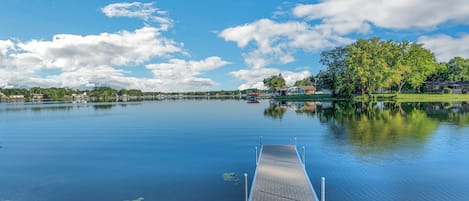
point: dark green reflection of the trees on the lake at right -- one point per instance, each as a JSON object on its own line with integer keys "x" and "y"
{"x": 374, "y": 128}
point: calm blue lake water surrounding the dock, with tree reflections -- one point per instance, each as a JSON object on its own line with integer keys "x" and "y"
{"x": 180, "y": 150}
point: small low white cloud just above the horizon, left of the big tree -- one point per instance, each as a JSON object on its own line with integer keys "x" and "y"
{"x": 253, "y": 78}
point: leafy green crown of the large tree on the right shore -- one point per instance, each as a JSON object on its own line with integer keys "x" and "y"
{"x": 371, "y": 64}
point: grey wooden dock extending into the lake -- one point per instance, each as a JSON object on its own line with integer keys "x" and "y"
{"x": 280, "y": 176}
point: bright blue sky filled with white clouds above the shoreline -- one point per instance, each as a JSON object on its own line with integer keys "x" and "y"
{"x": 187, "y": 45}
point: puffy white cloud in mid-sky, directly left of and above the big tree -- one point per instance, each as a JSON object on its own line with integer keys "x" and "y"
{"x": 276, "y": 42}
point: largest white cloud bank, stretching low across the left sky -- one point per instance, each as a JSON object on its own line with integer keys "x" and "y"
{"x": 90, "y": 60}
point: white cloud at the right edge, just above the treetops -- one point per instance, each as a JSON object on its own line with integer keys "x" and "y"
{"x": 446, "y": 47}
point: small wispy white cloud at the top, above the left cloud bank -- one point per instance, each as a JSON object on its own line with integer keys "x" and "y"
{"x": 144, "y": 11}
